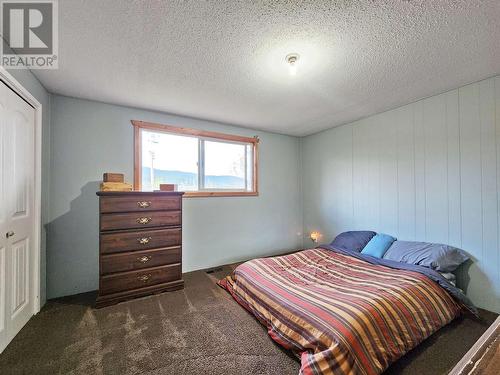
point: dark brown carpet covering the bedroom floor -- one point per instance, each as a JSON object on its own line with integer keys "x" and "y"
{"x": 198, "y": 330}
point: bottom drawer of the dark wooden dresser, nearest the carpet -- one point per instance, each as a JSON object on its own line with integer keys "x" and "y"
{"x": 137, "y": 279}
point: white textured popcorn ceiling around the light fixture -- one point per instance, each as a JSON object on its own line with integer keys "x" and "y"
{"x": 223, "y": 60}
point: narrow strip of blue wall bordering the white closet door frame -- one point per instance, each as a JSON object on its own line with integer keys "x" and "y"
{"x": 30, "y": 83}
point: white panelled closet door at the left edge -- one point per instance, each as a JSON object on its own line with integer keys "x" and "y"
{"x": 17, "y": 185}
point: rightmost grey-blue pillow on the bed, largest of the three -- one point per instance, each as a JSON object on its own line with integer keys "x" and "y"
{"x": 442, "y": 258}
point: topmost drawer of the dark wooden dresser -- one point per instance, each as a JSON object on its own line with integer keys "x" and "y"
{"x": 139, "y": 203}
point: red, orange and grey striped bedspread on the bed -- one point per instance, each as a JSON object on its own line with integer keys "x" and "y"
{"x": 340, "y": 314}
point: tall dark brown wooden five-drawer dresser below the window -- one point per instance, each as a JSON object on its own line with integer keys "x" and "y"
{"x": 140, "y": 244}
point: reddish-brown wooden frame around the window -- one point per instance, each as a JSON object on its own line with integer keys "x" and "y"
{"x": 200, "y": 134}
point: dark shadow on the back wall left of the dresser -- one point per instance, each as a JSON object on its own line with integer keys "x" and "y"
{"x": 72, "y": 246}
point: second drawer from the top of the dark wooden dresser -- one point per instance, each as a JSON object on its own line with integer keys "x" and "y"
{"x": 132, "y": 220}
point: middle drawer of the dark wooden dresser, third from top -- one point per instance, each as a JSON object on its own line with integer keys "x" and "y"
{"x": 139, "y": 240}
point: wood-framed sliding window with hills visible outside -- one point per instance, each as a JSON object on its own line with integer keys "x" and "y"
{"x": 201, "y": 163}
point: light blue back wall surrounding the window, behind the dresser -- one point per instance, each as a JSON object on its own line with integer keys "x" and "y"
{"x": 89, "y": 138}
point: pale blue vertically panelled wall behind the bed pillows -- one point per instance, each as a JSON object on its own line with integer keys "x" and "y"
{"x": 428, "y": 171}
